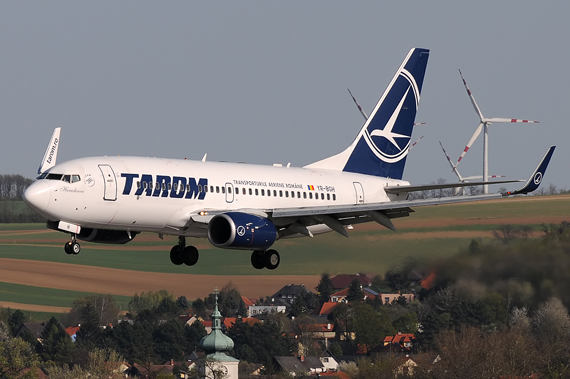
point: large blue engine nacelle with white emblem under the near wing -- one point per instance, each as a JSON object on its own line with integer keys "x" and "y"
{"x": 236, "y": 230}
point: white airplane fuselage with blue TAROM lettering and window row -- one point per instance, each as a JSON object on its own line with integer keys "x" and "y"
{"x": 121, "y": 193}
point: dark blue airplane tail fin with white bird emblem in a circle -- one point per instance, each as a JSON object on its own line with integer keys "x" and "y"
{"x": 381, "y": 147}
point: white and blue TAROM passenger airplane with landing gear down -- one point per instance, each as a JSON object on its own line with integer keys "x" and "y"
{"x": 243, "y": 206}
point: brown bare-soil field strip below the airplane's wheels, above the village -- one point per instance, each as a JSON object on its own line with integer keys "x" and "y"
{"x": 127, "y": 283}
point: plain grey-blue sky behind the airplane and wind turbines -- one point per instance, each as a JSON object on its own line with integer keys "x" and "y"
{"x": 266, "y": 82}
